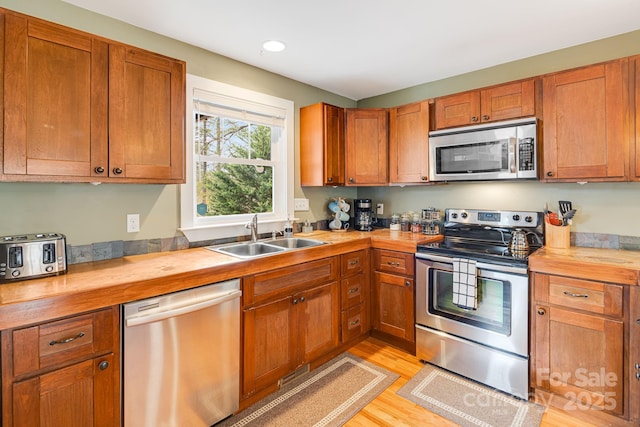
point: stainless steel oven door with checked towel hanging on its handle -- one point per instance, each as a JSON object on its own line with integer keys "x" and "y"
{"x": 501, "y": 319}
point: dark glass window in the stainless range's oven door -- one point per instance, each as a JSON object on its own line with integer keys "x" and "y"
{"x": 494, "y": 302}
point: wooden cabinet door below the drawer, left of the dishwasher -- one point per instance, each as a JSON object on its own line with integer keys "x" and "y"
{"x": 84, "y": 394}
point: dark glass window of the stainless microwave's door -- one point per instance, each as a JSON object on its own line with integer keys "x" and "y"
{"x": 492, "y": 156}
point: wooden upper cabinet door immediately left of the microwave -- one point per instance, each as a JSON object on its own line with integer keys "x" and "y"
{"x": 409, "y": 143}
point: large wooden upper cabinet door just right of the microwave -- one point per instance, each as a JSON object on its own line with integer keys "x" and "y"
{"x": 586, "y": 133}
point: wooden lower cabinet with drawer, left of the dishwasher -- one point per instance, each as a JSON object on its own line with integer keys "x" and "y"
{"x": 62, "y": 373}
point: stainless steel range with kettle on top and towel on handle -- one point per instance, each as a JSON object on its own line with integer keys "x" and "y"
{"x": 472, "y": 296}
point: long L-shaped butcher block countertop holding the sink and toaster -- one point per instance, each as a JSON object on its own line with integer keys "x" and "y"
{"x": 94, "y": 285}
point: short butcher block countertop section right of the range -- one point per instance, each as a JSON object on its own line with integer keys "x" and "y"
{"x": 606, "y": 265}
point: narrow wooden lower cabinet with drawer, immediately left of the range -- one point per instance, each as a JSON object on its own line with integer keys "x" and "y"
{"x": 393, "y": 298}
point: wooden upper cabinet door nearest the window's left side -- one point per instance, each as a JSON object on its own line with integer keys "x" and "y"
{"x": 146, "y": 115}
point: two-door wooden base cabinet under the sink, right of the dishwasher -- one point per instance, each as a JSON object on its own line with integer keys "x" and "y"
{"x": 291, "y": 316}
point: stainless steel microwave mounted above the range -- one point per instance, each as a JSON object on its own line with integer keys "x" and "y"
{"x": 501, "y": 150}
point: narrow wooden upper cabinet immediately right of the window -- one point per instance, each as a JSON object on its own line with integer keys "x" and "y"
{"x": 322, "y": 154}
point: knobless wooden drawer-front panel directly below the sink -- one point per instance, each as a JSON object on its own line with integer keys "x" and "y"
{"x": 286, "y": 281}
